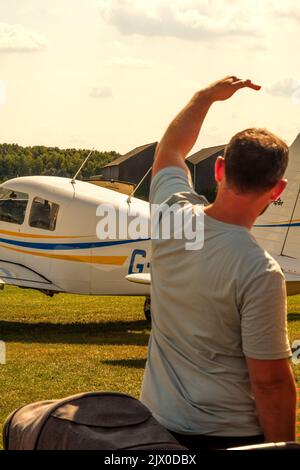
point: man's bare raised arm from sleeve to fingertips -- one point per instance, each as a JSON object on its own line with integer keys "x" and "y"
{"x": 183, "y": 131}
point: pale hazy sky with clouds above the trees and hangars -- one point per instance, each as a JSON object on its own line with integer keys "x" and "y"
{"x": 111, "y": 74}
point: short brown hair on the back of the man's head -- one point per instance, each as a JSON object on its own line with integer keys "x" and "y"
{"x": 255, "y": 160}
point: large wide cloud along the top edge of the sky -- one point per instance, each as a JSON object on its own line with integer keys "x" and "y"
{"x": 189, "y": 20}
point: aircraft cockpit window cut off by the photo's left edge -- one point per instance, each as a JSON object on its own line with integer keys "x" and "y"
{"x": 12, "y": 206}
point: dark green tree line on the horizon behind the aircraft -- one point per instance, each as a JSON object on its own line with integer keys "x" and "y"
{"x": 16, "y": 160}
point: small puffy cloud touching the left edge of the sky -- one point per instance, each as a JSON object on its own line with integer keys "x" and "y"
{"x": 16, "y": 38}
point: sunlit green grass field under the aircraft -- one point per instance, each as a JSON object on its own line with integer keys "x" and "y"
{"x": 70, "y": 343}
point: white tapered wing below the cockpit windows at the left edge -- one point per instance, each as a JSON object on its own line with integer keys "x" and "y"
{"x": 18, "y": 275}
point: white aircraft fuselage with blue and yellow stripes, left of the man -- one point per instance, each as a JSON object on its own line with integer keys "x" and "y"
{"x": 67, "y": 256}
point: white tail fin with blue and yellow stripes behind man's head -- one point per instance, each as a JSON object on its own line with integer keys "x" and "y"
{"x": 277, "y": 230}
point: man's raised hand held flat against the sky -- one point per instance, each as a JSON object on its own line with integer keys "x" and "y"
{"x": 225, "y": 88}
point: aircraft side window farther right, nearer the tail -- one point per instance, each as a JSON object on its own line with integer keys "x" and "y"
{"x": 43, "y": 214}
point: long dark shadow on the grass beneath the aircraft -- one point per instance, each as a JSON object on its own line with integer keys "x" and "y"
{"x": 135, "y": 332}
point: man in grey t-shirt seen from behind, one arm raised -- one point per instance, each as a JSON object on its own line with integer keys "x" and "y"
{"x": 218, "y": 373}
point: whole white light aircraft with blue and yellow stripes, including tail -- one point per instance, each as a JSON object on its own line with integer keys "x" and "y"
{"x": 48, "y": 237}
